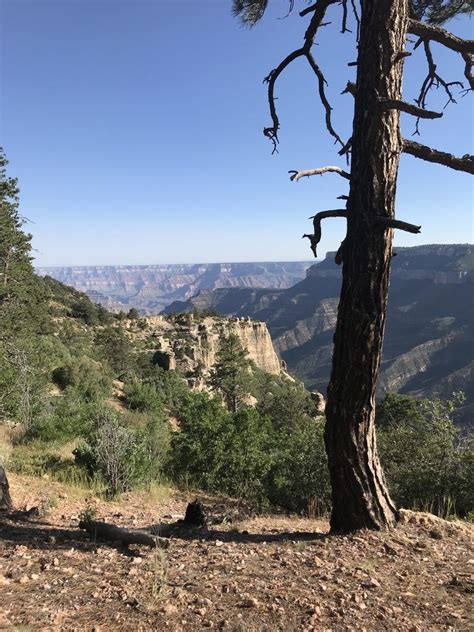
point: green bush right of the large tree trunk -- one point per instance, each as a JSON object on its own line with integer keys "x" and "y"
{"x": 428, "y": 465}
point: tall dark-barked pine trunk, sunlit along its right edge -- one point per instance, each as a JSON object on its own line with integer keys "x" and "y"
{"x": 360, "y": 496}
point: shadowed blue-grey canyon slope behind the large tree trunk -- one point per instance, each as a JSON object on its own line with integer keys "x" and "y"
{"x": 429, "y": 342}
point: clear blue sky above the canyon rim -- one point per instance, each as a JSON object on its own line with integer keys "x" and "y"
{"x": 135, "y": 129}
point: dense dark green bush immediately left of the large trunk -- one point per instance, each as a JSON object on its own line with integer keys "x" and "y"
{"x": 246, "y": 454}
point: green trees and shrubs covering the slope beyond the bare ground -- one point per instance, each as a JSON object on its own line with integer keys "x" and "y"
{"x": 84, "y": 399}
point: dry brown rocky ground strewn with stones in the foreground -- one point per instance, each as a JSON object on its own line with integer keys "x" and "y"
{"x": 247, "y": 572}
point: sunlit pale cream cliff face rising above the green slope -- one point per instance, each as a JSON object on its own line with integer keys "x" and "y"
{"x": 190, "y": 345}
